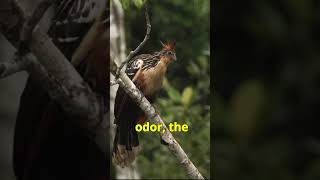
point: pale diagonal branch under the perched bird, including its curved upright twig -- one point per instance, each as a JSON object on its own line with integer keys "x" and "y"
{"x": 124, "y": 81}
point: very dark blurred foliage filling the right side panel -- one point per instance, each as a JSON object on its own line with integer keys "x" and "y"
{"x": 267, "y": 84}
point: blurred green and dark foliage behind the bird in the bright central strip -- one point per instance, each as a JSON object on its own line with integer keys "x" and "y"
{"x": 185, "y": 97}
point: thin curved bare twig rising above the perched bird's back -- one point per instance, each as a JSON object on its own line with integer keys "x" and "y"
{"x": 141, "y": 45}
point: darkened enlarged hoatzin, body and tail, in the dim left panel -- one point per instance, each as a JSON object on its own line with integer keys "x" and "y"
{"x": 47, "y": 144}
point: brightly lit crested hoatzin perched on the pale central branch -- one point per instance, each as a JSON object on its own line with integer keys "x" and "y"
{"x": 147, "y": 72}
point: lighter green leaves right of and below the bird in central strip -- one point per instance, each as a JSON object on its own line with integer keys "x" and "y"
{"x": 189, "y": 106}
